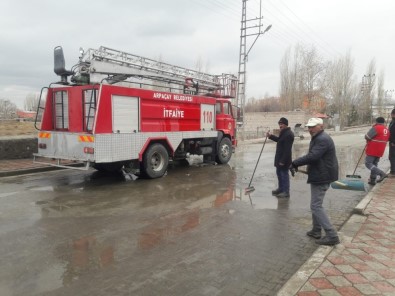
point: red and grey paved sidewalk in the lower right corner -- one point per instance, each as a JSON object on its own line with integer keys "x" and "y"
{"x": 364, "y": 262}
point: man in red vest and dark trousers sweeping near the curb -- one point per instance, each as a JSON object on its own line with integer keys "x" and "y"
{"x": 377, "y": 138}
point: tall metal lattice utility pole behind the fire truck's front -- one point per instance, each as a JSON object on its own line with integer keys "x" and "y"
{"x": 243, "y": 56}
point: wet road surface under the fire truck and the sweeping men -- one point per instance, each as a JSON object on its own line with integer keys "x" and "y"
{"x": 193, "y": 232}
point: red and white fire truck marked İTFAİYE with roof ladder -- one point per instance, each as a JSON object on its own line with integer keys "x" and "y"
{"x": 121, "y": 110}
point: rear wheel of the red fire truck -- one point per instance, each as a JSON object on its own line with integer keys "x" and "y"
{"x": 155, "y": 161}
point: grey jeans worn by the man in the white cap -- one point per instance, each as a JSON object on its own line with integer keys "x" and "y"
{"x": 320, "y": 218}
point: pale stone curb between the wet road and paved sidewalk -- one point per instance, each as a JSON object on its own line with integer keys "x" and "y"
{"x": 346, "y": 233}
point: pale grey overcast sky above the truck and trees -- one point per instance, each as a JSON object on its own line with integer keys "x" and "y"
{"x": 182, "y": 31}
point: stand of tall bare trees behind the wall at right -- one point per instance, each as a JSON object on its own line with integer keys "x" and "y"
{"x": 310, "y": 83}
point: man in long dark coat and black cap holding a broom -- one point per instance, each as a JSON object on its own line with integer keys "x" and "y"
{"x": 283, "y": 157}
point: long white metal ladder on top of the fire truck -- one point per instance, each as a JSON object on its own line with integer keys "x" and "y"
{"x": 119, "y": 65}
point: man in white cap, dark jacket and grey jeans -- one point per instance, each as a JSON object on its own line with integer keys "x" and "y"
{"x": 322, "y": 169}
